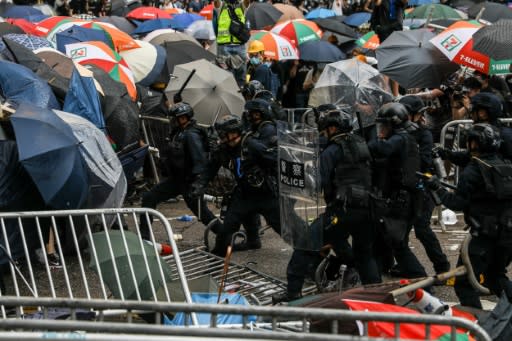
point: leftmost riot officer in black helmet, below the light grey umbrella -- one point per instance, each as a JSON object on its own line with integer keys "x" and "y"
{"x": 186, "y": 159}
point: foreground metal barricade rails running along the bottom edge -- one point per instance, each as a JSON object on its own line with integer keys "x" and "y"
{"x": 270, "y": 322}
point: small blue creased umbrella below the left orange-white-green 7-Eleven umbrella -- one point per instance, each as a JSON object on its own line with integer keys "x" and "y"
{"x": 82, "y": 99}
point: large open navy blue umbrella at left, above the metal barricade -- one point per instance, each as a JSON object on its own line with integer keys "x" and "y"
{"x": 49, "y": 151}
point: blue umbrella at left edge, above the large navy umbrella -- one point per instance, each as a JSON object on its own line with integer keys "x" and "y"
{"x": 19, "y": 84}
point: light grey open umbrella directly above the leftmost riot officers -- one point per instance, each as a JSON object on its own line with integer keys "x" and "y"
{"x": 212, "y": 91}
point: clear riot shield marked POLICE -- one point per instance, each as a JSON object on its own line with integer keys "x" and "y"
{"x": 299, "y": 186}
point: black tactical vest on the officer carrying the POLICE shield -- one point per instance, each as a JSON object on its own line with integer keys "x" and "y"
{"x": 352, "y": 177}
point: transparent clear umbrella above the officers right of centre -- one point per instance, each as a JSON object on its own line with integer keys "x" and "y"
{"x": 353, "y": 83}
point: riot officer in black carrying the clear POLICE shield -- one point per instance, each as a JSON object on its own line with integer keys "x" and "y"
{"x": 346, "y": 182}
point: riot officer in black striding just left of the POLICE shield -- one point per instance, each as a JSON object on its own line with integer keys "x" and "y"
{"x": 256, "y": 191}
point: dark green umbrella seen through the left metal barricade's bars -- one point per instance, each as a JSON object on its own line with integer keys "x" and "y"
{"x": 141, "y": 272}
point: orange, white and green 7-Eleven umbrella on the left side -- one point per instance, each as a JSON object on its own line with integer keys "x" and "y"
{"x": 99, "y": 54}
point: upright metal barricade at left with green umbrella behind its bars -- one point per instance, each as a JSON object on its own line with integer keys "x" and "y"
{"x": 100, "y": 258}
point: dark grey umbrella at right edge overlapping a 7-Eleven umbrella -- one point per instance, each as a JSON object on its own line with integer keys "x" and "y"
{"x": 494, "y": 40}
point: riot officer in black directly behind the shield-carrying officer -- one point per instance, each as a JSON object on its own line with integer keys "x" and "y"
{"x": 396, "y": 161}
